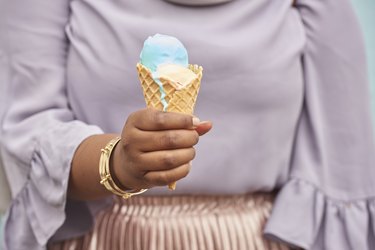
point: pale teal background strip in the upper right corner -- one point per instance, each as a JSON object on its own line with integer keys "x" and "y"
{"x": 366, "y": 14}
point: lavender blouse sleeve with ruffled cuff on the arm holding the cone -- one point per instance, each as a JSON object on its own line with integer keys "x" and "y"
{"x": 39, "y": 131}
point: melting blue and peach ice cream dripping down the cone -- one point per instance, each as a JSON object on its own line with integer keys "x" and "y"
{"x": 166, "y": 56}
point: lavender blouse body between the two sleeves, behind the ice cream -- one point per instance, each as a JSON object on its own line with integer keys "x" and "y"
{"x": 252, "y": 86}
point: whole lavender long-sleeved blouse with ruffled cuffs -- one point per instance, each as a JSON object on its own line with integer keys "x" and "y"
{"x": 286, "y": 88}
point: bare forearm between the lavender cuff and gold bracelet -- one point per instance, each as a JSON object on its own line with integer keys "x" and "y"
{"x": 84, "y": 181}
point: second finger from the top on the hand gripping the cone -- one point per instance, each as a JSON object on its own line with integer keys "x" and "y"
{"x": 147, "y": 141}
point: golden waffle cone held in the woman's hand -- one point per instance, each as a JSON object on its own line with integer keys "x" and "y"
{"x": 179, "y": 100}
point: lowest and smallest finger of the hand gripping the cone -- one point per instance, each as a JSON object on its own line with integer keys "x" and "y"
{"x": 163, "y": 178}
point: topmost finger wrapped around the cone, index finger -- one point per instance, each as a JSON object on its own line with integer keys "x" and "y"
{"x": 154, "y": 120}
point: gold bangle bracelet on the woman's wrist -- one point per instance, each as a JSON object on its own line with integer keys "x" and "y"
{"x": 105, "y": 174}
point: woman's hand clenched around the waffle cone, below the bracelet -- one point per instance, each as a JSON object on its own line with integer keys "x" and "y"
{"x": 156, "y": 148}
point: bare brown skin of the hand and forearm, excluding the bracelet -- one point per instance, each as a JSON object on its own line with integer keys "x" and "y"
{"x": 156, "y": 149}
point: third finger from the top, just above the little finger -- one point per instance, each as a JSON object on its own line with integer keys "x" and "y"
{"x": 165, "y": 160}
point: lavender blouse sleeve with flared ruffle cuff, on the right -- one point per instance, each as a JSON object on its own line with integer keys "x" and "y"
{"x": 328, "y": 202}
